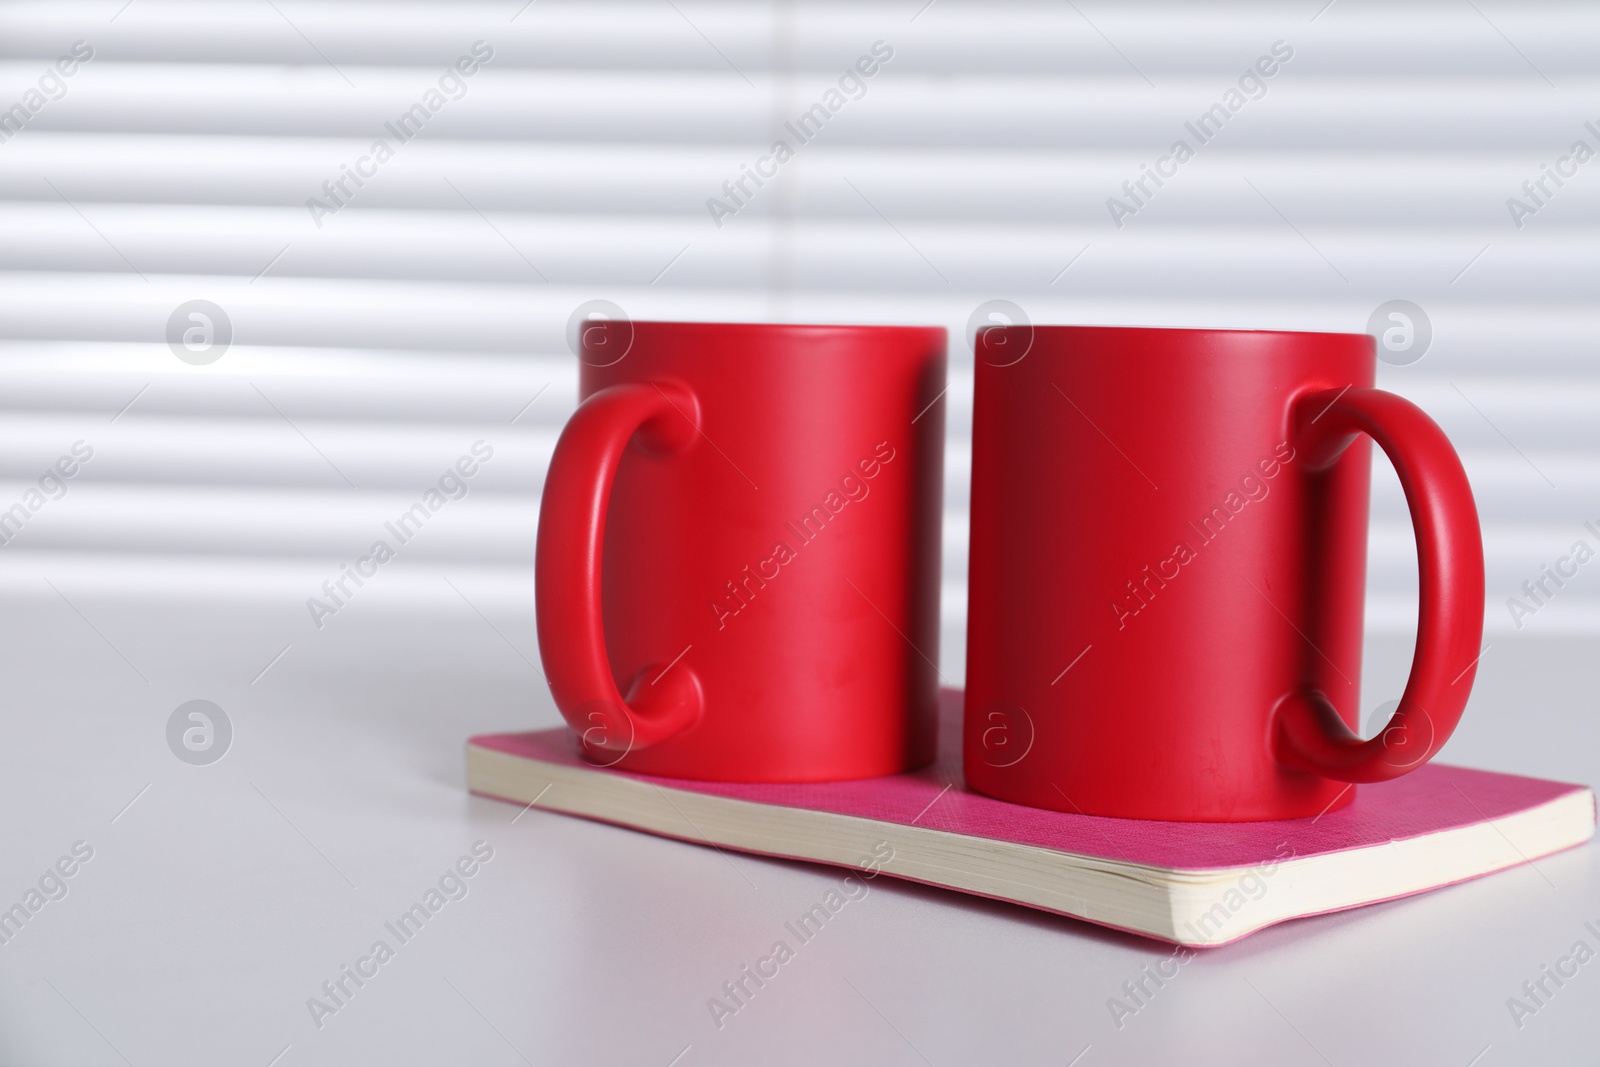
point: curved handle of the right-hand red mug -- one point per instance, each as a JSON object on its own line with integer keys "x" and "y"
{"x": 1308, "y": 732}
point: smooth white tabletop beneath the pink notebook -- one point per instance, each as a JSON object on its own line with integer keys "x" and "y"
{"x": 223, "y": 897}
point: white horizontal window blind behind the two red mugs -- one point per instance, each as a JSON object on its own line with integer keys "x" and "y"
{"x": 377, "y": 340}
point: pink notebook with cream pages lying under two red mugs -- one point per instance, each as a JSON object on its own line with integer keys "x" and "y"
{"x": 1191, "y": 884}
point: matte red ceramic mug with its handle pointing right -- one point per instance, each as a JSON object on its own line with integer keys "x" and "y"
{"x": 1169, "y": 554}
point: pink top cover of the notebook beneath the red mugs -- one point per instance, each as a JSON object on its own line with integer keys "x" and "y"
{"x": 1433, "y": 799}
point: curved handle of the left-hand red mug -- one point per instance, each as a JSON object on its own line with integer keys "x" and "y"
{"x": 660, "y": 703}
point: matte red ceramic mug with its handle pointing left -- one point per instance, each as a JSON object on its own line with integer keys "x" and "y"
{"x": 738, "y": 557}
